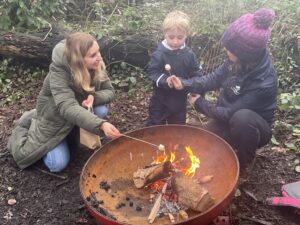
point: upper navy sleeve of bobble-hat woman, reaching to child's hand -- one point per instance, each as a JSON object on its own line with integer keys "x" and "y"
{"x": 209, "y": 82}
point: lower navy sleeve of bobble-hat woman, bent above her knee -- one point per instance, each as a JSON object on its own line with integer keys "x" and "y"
{"x": 224, "y": 113}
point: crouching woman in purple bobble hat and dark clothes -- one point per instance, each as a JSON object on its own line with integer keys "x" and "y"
{"x": 244, "y": 111}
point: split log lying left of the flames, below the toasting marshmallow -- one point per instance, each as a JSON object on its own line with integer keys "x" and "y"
{"x": 150, "y": 174}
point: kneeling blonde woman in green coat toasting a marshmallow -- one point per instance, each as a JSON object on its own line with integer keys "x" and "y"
{"x": 77, "y": 72}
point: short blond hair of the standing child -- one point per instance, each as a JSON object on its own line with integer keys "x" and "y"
{"x": 176, "y": 19}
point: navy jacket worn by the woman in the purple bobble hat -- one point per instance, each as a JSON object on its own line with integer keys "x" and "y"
{"x": 255, "y": 90}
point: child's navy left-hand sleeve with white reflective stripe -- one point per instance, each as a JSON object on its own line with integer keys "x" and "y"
{"x": 155, "y": 72}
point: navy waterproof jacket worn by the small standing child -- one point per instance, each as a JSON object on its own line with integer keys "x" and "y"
{"x": 184, "y": 64}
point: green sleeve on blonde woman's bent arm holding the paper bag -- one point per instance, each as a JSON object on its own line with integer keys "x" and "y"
{"x": 104, "y": 92}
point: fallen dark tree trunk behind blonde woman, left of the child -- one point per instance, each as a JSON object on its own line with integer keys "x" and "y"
{"x": 37, "y": 49}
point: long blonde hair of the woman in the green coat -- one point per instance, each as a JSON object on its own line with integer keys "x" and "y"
{"x": 76, "y": 48}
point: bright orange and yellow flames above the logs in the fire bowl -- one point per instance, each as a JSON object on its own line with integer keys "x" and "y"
{"x": 178, "y": 162}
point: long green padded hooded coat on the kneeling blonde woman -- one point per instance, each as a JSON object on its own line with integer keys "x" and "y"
{"x": 57, "y": 111}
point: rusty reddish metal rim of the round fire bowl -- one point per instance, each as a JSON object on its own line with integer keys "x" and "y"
{"x": 212, "y": 212}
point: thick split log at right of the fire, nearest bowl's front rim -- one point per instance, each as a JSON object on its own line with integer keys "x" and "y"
{"x": 191, "y": 194}
